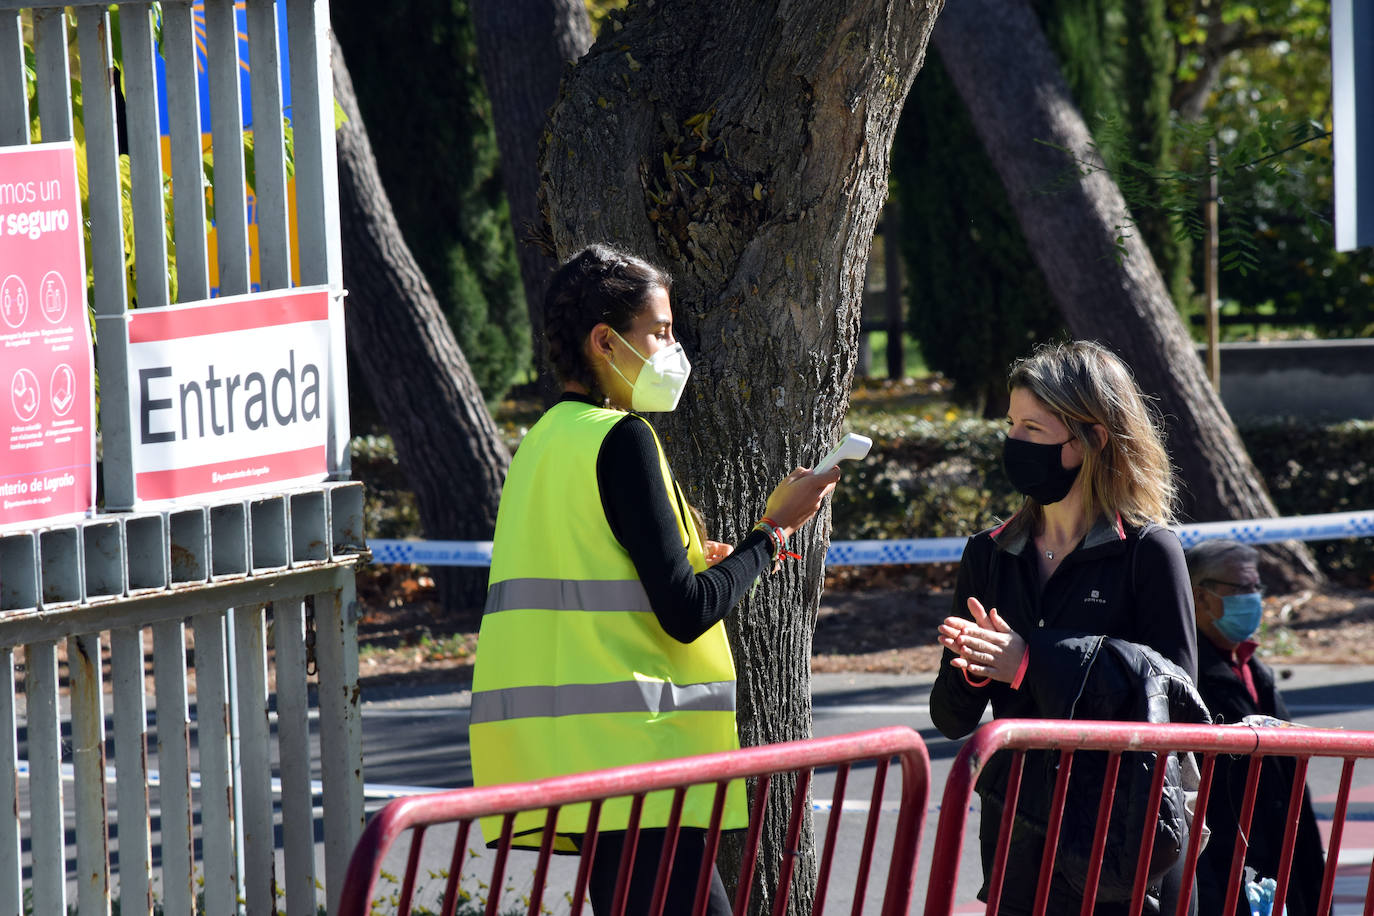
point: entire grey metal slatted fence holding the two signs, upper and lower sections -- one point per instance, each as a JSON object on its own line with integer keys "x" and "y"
{"x": 258, "y": 591}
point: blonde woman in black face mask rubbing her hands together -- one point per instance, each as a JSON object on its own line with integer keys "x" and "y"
{"x": 1088, "y": 554}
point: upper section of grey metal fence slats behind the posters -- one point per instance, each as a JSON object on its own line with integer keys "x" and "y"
{"x": 317, "y": 172}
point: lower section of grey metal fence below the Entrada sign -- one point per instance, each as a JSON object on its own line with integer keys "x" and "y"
{"x": 177, "y": 843}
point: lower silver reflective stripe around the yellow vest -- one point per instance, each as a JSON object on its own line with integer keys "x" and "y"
{"x": 583, "y": 700}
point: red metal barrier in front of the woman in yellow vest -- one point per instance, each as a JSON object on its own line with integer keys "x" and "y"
{"x": 464, "y": 807}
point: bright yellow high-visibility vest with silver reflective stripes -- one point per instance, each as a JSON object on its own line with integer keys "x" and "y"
{"x": 574, "y": 671}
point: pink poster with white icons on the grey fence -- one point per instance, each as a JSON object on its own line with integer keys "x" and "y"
{"x": 47, "y": 404}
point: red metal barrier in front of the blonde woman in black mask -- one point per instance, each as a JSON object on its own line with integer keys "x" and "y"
{"x": 1207, "y": 742}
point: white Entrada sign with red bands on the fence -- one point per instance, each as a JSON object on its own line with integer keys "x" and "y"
{"x": 232, "y": 395}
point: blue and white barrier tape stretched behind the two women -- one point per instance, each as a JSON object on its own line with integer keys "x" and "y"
{"x": 934, "y": 550}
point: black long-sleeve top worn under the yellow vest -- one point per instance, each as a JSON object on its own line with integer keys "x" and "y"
{"x": 642, "y": 518}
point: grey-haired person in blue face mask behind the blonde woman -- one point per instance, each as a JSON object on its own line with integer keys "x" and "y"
{"x": 1230, "y": 604}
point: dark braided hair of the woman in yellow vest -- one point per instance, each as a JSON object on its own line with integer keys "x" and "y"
{"x": 597, "y": 285}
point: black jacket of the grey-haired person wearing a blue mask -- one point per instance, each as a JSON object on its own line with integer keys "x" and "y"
{"x": 1230, "y": 702}
